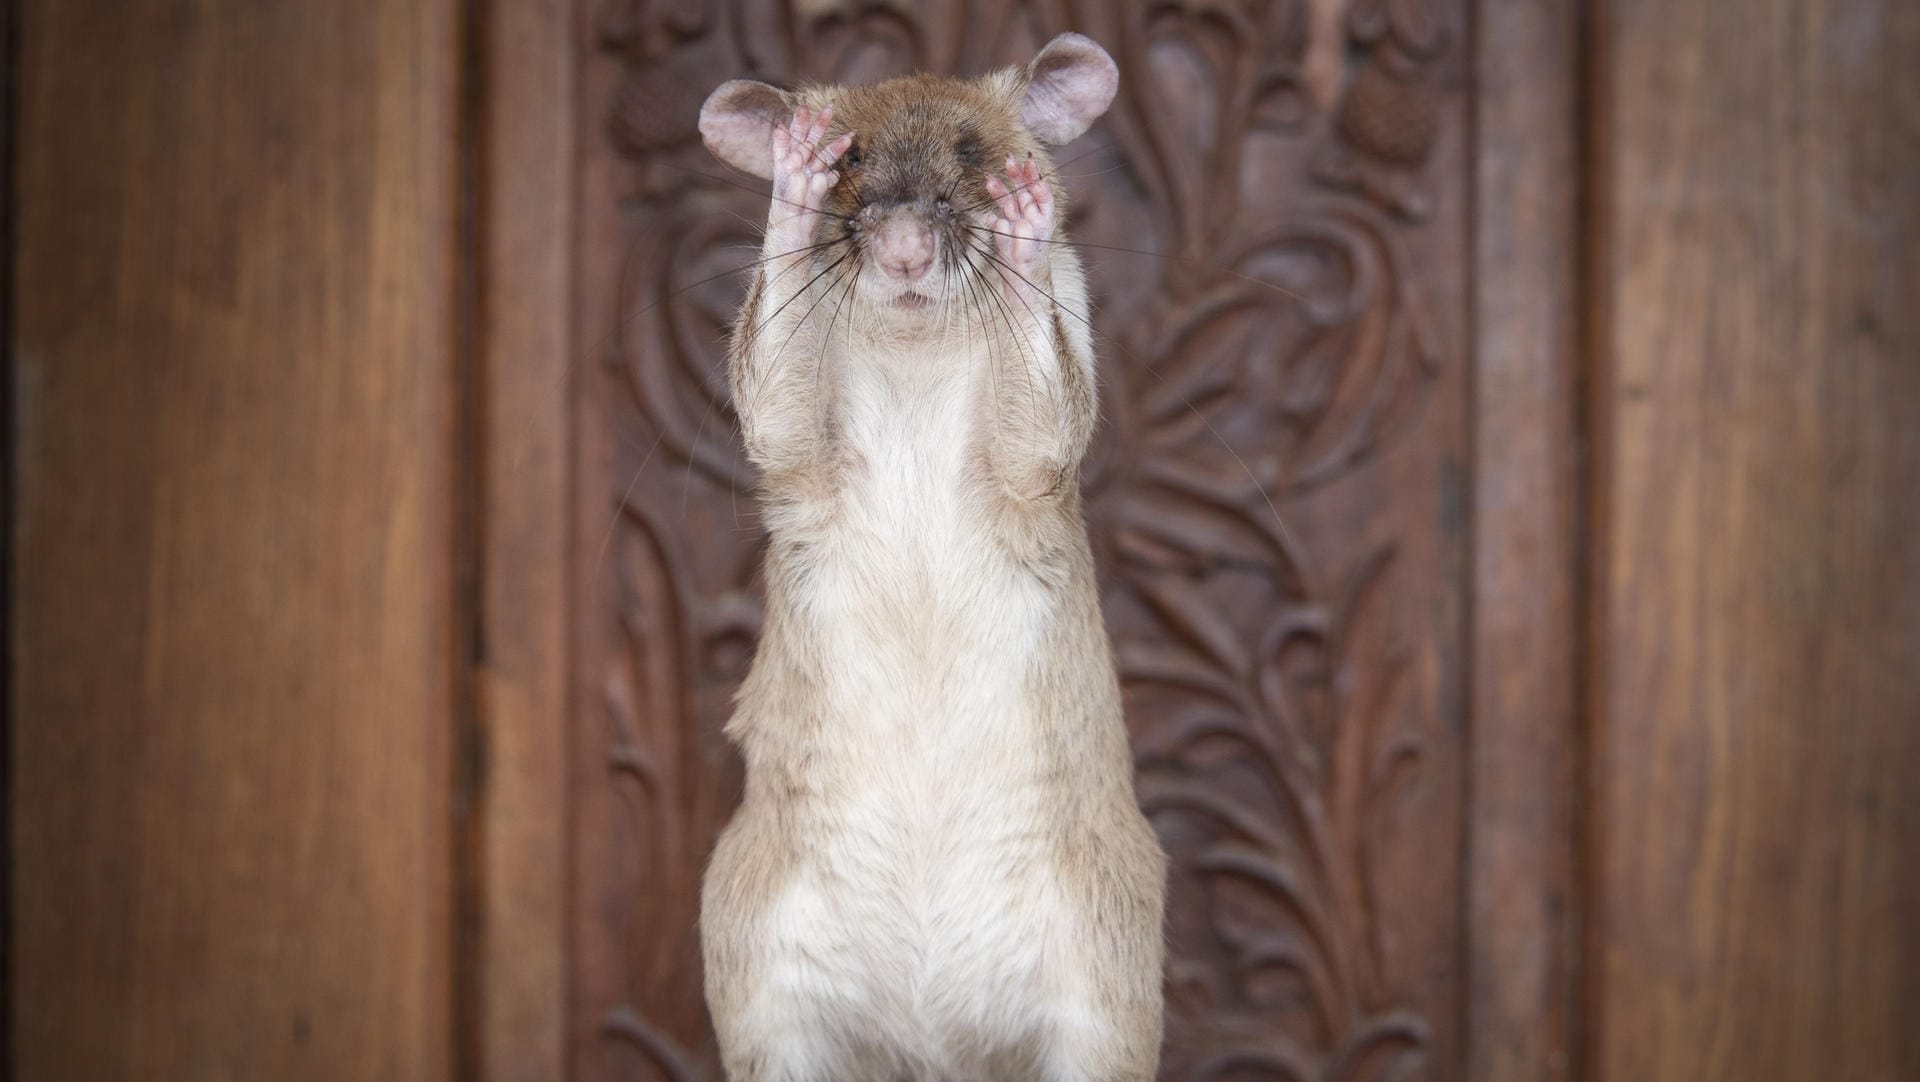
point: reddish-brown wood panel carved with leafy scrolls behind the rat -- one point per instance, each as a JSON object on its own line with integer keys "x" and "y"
{"x": 1276, "y": 500}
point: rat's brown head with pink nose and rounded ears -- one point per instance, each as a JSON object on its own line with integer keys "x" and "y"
{"x": 911, "y": 202}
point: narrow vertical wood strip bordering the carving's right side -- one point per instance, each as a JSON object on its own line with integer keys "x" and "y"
{"x": 1520, "y": 862}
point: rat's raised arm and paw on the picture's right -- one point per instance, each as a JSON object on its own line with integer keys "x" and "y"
{"x": 1045, "y": 381}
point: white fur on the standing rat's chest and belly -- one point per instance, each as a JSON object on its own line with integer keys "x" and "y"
{"x": 928, "y": 914}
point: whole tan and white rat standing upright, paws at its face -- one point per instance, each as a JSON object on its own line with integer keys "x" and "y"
{"x": 940, "y": 870}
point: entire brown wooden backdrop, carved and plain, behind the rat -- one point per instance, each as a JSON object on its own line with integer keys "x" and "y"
{"x": 381, "y": 557}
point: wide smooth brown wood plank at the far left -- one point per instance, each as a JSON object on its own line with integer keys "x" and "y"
{"x": 233, "y": 640}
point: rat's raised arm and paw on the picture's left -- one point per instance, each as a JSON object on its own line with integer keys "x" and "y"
{"x": 775, "y": 358}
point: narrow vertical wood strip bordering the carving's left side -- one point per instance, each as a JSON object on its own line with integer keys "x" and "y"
{"x": 527, "y": 365}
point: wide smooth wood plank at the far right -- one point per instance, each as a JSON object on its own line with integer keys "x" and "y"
{"x": 1758, "y": 695}
